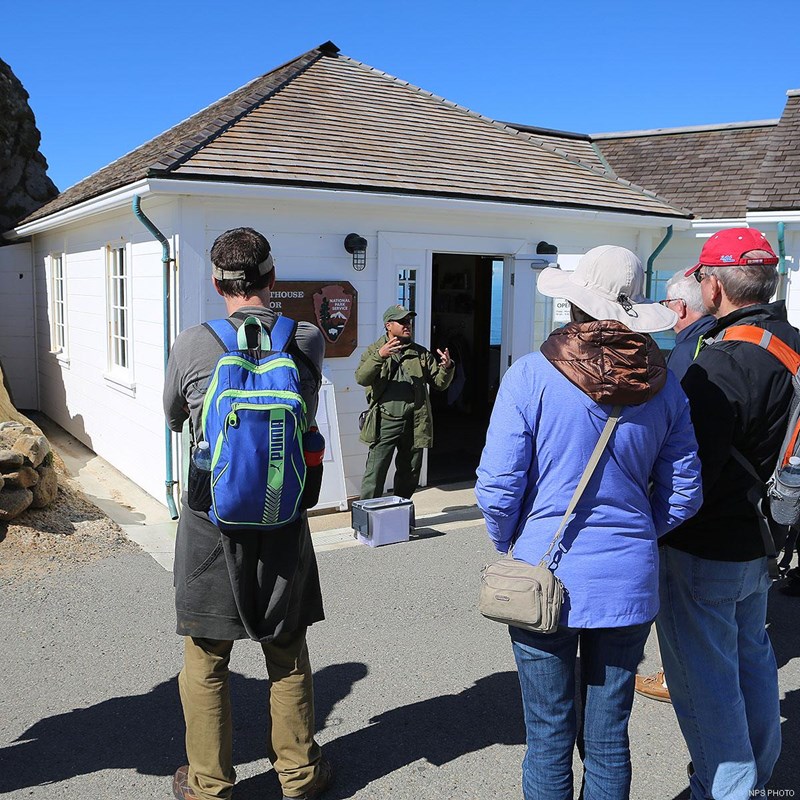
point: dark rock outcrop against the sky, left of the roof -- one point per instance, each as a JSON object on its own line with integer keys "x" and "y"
{"x": 24, "y": 185}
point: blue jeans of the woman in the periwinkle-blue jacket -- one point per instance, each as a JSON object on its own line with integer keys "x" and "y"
{"x": 546, "y": 666}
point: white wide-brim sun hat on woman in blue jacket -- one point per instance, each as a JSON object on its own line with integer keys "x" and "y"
{"x": 608, "y": 283}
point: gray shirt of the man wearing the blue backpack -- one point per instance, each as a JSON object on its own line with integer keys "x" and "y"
{"x": 195, "y": 354}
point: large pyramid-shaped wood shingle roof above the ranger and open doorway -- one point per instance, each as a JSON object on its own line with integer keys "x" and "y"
{"x": 326, "y": 120}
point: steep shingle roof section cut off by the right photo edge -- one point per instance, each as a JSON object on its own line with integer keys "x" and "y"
{"x": 778, "y": 183}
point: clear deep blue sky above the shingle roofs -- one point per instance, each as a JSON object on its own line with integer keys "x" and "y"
{"x": 104, "y": 77}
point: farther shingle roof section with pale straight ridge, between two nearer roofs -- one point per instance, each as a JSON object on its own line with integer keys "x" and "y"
{"x": 709, "y": 169}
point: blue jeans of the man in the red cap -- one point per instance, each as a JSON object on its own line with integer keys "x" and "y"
{"x": 721, "y": 671}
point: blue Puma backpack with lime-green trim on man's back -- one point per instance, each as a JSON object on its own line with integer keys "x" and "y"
{"x": 254, "y": 417}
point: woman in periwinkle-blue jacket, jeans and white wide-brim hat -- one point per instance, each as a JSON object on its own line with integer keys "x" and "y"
{"x": 549, "y": 413}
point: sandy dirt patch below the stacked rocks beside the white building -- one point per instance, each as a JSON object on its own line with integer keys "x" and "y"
{"x": 69, "y": 532}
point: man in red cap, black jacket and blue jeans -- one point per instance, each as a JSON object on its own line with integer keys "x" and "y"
{"x": 717, "y": 655}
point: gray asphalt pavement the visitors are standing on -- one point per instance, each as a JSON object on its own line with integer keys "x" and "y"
{"x": 417, "y": 697}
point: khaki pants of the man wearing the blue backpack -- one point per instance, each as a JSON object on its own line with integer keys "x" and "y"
{"x": 205, "y": 696}
